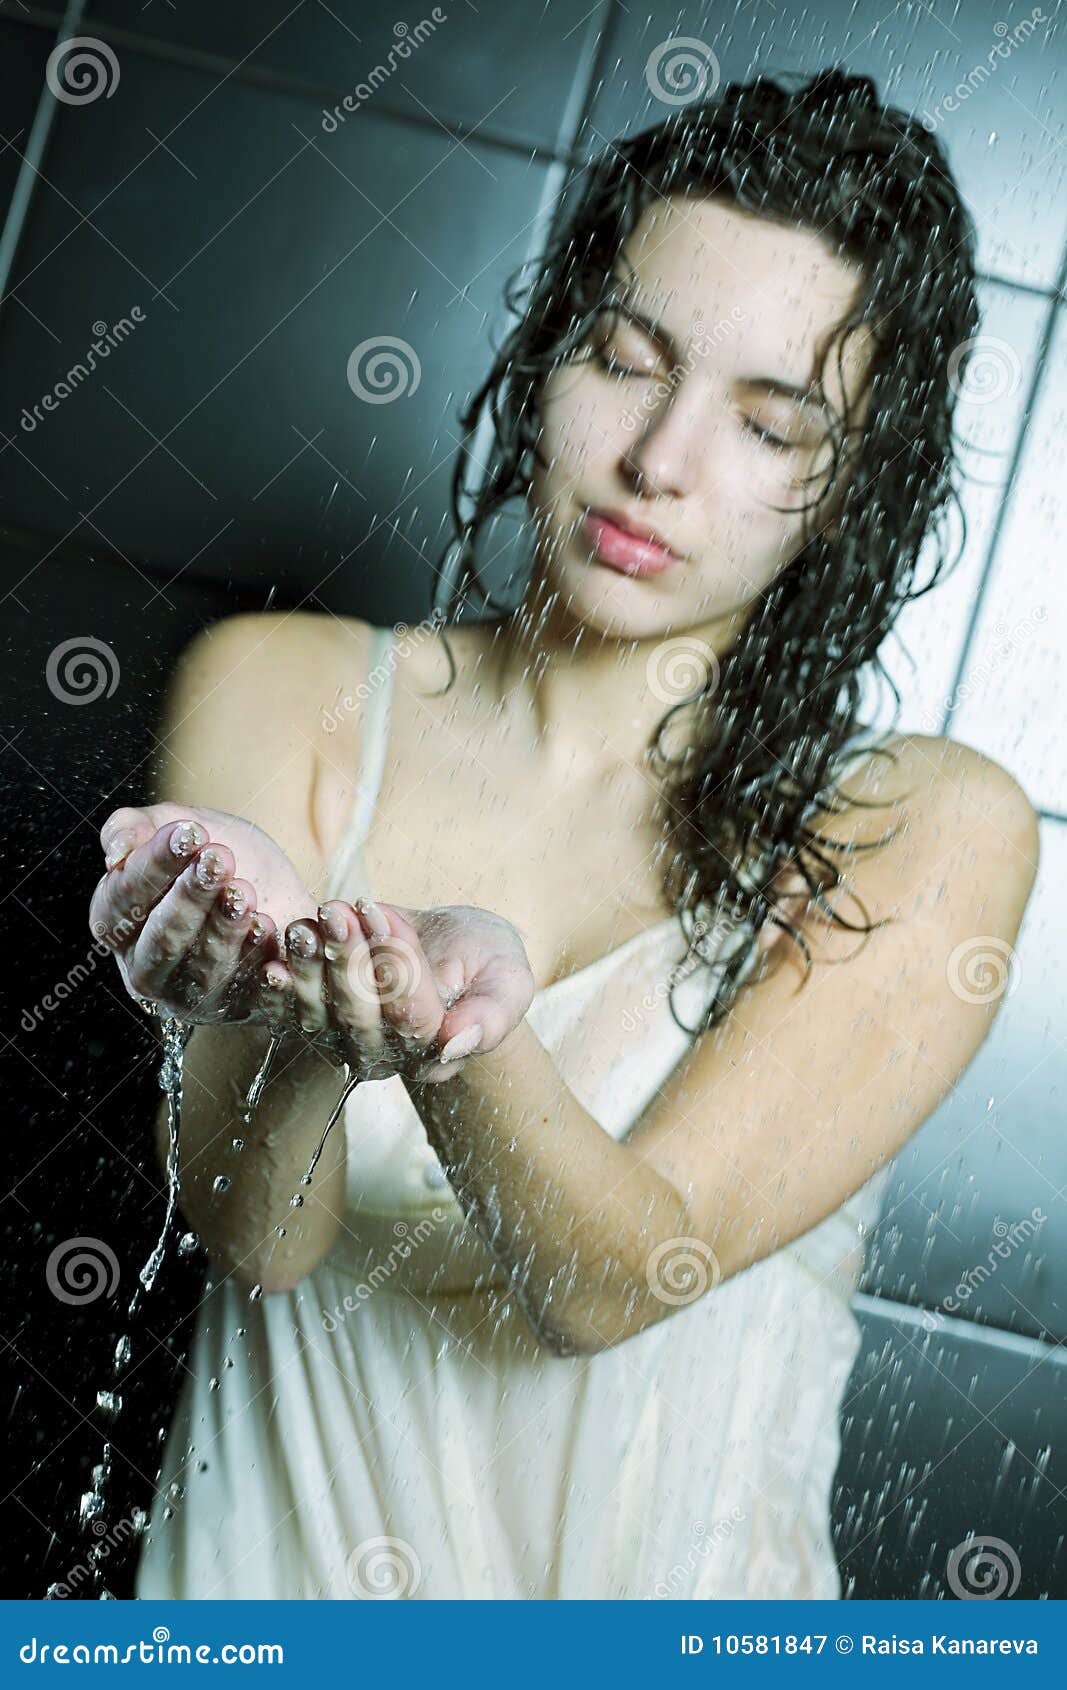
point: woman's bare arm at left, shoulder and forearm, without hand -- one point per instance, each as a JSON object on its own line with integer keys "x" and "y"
{"x": 243, "y": 734}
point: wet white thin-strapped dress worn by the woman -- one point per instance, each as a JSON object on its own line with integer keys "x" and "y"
{"x": 390, "y": 1429}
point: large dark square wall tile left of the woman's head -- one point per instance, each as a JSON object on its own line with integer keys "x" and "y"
{"x": 222, "y": 433}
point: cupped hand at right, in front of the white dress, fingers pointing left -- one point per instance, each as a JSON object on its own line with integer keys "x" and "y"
{"x": 405, "y": 991}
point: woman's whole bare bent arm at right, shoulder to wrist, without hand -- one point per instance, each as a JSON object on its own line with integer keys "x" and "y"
{"x": 780, "y": 1115}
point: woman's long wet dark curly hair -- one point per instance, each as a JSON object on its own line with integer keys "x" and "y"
{"x": 877, "y": 188}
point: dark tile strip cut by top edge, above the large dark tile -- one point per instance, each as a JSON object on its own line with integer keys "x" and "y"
{"x": 491, "y": 63}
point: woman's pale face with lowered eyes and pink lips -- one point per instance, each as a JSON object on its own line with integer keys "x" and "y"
{"x": 698, "y": 437}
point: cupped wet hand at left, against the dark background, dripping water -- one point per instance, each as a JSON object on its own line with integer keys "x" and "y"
{"x": 187, "y": 932}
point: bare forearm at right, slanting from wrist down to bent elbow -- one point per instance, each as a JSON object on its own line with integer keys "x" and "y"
{"x": 571, "y": 1214}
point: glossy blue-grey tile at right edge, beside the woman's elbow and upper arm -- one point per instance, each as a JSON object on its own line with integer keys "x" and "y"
{"x": 975, "y": 1218}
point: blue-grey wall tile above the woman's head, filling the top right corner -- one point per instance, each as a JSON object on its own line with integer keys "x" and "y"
{"x": 985, "y": 79}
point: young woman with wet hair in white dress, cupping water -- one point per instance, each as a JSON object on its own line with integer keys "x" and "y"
{"x": 674, "y": 959}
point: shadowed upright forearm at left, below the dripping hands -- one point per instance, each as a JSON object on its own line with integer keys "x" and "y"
{"x": 238, "y": 1224}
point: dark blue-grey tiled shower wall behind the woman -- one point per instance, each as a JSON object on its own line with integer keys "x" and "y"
{"x": 221, "y": 455}
